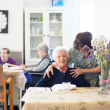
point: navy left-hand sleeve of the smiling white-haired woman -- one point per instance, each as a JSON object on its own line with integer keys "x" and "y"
{"x": 44, "y": 81}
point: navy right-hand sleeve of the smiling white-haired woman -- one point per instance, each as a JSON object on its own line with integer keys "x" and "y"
{"x": 82, "y": 82}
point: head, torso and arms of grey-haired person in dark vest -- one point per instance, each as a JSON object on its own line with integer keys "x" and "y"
{"x": 43, "y": 64}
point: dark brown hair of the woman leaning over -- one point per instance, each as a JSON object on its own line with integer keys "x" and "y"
{"x": 82, "y": 39}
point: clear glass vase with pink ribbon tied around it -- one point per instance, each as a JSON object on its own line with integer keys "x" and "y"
{"x": 104, "y": 82}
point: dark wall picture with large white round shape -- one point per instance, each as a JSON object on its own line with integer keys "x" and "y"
{"x": 3, "y": 21}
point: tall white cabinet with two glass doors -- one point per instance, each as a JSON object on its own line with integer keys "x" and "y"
{"x": 43, "y": 25}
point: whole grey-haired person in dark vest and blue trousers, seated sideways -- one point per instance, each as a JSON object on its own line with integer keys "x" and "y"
{"x": 40, "y": 67}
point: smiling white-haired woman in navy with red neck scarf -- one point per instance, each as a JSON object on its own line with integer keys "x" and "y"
{"x": 62, "y": 71}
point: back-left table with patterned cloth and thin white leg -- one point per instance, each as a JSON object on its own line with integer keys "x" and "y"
{"x": 19, "y": 79}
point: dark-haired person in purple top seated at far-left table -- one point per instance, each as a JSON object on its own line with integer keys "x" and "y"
{"x": 5, "y": 59}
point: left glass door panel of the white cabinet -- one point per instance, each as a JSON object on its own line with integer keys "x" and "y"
{"x": 36, "y": 33}
